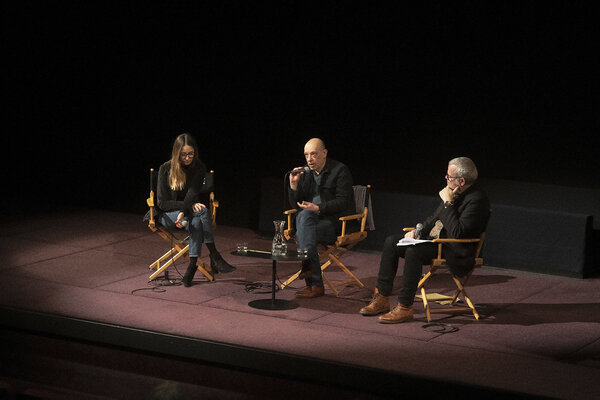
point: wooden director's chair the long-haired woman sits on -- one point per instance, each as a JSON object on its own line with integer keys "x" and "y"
{"x": 180, "y": 247}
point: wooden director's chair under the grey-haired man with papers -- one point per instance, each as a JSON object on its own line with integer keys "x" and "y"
{"x": 439, "y": 263}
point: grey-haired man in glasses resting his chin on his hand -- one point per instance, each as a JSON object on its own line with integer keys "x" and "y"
{"x": 462, "y": 213}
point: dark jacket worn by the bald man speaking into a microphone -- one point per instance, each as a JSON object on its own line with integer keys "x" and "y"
{"x": 337, "y": 196}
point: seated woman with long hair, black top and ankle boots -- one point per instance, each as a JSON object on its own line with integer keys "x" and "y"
{"x": 179, "y": 183}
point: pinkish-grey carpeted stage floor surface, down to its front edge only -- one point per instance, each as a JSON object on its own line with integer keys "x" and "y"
{"x": 539, "y": 335}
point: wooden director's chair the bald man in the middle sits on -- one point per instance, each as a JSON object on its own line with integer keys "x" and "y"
{"x": 330, "y": 254}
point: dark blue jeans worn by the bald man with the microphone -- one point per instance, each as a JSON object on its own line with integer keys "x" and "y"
{"x": 311, "y": 230}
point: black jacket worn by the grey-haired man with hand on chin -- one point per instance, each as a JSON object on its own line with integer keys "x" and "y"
{"x": 466, "y": 219}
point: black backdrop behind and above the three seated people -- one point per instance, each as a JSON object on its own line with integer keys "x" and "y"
{"x": 97, "y": 92}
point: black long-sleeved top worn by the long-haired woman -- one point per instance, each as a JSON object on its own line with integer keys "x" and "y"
{"x": 180, "y": 200}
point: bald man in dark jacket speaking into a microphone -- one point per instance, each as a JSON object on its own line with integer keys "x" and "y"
{"x": 323, "y": 195}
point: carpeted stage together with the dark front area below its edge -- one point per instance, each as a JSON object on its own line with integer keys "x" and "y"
{"x": 80, "y": 320}
